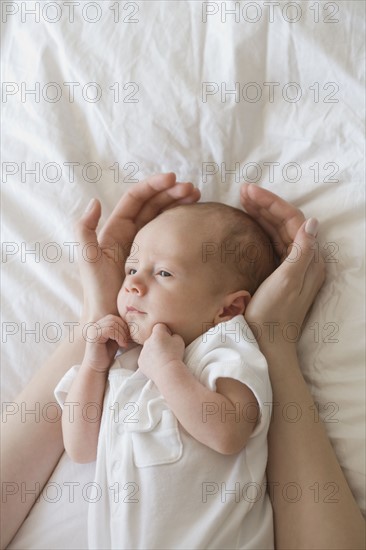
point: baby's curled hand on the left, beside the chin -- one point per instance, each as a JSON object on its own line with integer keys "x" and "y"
{"x": 103, "y": 340}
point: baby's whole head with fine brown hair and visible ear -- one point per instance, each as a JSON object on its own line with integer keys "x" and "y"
{"x": 192, "y": 267}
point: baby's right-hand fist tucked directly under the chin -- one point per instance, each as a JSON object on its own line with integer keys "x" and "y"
{"x": 160, "y": 349}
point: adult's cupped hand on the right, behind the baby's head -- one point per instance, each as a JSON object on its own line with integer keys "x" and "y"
{"x": 286, "y": 296}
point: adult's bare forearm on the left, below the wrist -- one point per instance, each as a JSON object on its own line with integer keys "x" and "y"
{"x": 31, "y": 442}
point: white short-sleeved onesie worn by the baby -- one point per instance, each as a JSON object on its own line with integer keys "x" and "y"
{"x": 156, "y": 487}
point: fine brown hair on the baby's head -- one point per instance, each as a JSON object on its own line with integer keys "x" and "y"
{"x": 241, "y": 248}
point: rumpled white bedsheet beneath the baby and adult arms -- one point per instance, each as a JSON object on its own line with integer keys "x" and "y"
{"x": 271, "y": 93}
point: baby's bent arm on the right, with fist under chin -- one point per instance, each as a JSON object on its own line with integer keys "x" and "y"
{"x": 223, "y": 419}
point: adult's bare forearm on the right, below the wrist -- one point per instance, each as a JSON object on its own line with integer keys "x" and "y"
{"x": 303, "y": 466}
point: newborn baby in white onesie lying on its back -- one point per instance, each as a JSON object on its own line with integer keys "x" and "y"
{"x": 181, "y": 446}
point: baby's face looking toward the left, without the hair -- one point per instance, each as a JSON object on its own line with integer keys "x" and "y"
{"x": 168, "y": 282}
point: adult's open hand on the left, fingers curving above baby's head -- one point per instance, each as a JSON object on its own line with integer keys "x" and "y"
{"x": 102, "y": 259}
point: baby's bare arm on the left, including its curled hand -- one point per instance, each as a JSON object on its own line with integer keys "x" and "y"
{"x": 82, "y": 411}
